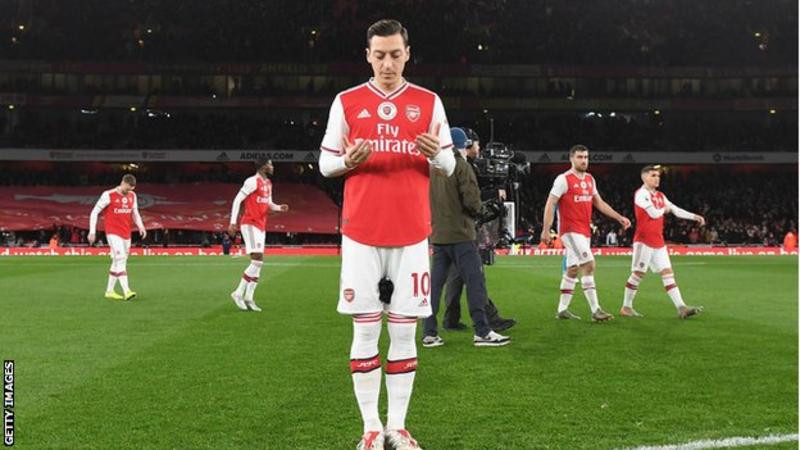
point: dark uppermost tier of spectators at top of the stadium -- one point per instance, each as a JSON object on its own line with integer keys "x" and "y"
{"x": 640, "y": 32}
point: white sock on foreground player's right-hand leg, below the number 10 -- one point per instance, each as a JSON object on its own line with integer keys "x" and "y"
{"x": 401, "y": 366}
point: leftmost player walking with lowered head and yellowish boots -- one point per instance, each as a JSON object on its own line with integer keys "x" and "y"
{"x": 120, "y": 209}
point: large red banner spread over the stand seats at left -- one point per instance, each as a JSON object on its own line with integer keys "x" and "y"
{"x": 194, "y": 206}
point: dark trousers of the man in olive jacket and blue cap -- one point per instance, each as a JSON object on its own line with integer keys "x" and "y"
{"x": 465, "y": 259}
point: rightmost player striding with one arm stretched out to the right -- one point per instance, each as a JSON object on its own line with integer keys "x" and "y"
{"x": 649, "y": 249}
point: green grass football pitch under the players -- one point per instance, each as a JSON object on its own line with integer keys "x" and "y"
{"x": 180, "y": 367}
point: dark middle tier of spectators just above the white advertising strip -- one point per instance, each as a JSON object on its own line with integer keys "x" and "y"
{"x": 278, "y": 130}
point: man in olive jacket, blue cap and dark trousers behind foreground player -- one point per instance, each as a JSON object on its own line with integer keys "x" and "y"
{"x": 455, "y": 204}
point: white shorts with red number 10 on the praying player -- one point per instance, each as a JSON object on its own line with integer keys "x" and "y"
{"x": 363, "y": 266}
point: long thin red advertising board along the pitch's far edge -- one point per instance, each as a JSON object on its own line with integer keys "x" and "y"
{"x": 334, "y": 250}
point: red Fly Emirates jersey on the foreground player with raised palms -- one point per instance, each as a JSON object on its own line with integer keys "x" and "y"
{"x": 386, "y": 198}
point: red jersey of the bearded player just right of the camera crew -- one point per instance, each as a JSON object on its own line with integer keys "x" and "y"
{"x": 575, "y": 193}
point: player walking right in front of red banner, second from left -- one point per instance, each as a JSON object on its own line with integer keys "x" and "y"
{"x": 256, "y": 195}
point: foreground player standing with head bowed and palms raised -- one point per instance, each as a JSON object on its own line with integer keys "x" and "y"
{"x": 382, "y": 136}
